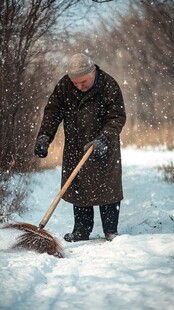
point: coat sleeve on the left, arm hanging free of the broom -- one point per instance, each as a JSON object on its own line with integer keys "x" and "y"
{"x": 53, "y": 113}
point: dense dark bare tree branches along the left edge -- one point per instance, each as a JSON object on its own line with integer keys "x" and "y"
{"x": 24, "y": 28}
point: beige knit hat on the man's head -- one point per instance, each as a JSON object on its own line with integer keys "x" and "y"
{"x": 80, "y": 65}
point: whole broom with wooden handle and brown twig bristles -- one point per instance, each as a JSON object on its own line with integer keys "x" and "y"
{"x": 37, "y": 238}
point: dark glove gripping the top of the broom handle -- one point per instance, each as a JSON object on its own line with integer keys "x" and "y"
{"x": 100, "y": 146}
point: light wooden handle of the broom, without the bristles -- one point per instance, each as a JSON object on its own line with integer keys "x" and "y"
{"x": 56, "y": 200}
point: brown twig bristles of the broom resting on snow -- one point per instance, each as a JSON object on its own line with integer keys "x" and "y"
{"x": 36, "y": 239}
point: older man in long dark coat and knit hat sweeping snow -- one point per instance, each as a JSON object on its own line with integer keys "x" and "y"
{"x": 90, "y": 104}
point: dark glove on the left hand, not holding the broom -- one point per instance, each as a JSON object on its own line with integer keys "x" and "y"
{"x": 41, "y": 146}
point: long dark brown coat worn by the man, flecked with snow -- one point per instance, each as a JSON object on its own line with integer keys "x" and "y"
{"x": 85, "y": 117}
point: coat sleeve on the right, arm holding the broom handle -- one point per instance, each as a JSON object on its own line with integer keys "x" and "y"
{"x": 116, "y": 115}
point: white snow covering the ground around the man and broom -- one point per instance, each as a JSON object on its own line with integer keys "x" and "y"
{"x": 134, "y": 271}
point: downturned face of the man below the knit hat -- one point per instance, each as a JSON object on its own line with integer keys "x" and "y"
{"x": 85, "y": 82}
